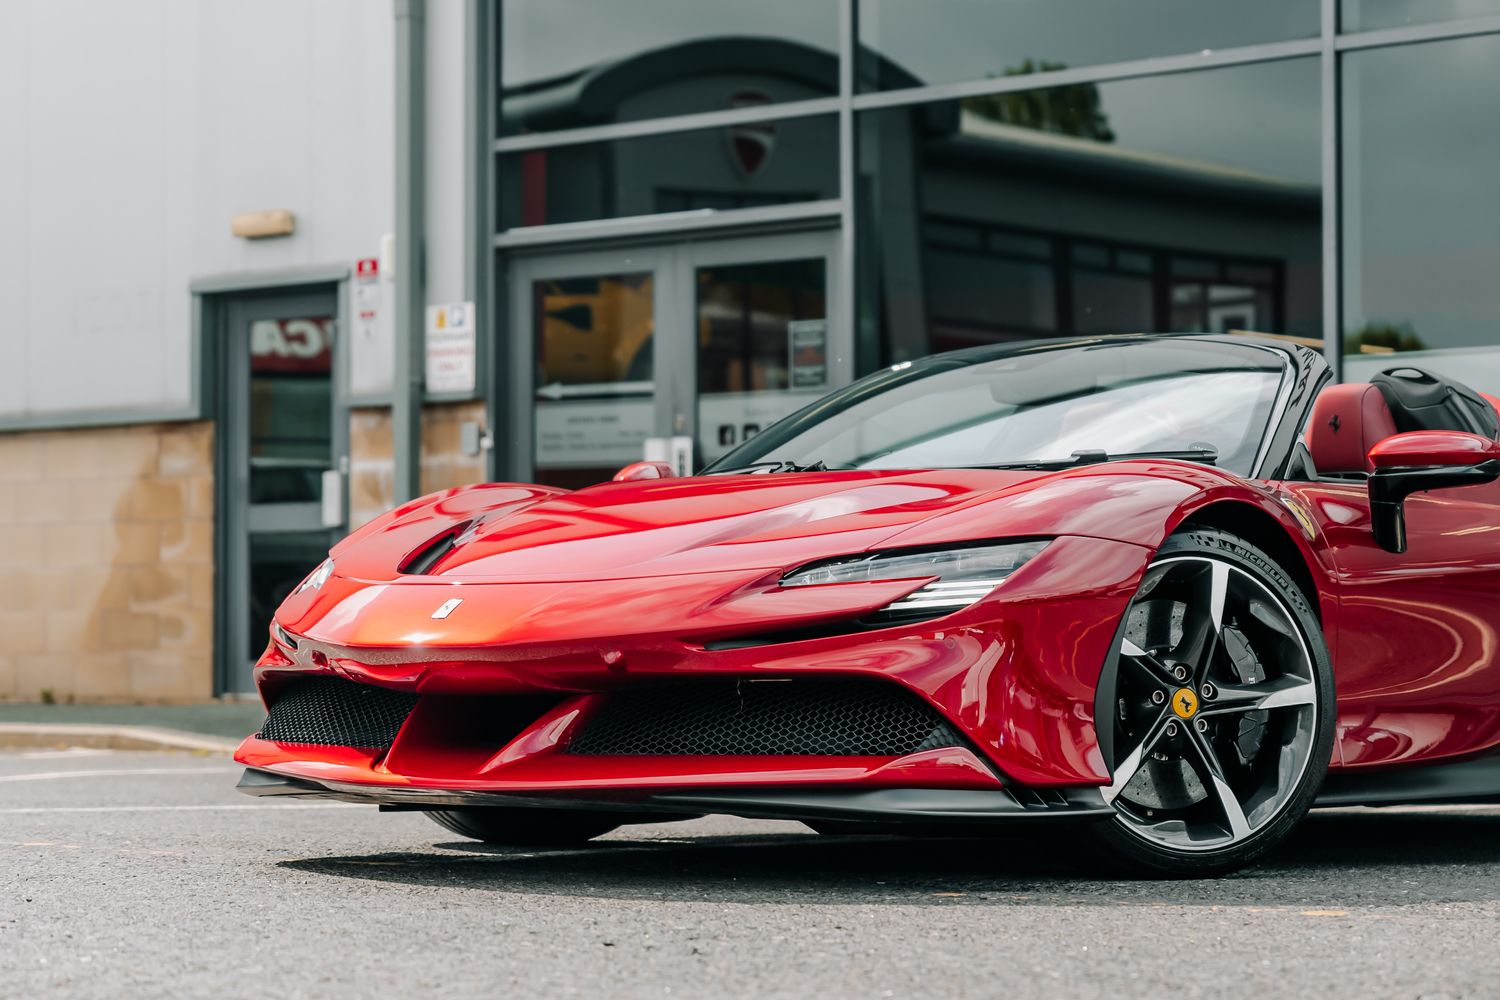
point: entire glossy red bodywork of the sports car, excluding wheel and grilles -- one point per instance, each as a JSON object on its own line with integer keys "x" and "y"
{"x": 631, "y": 584}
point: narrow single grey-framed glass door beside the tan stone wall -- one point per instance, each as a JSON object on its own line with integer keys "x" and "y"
{"x": 284, "y": 503}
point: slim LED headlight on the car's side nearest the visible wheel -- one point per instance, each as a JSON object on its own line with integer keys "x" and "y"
{"x": 964, "y": 575}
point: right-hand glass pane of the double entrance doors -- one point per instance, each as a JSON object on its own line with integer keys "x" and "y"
{"x": 763, "y": 347}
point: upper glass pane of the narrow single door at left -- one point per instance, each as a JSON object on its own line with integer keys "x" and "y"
{"x": 292, "y": 409}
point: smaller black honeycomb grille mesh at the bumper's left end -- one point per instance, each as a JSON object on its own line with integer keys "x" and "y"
{"x": 337, "y": 713}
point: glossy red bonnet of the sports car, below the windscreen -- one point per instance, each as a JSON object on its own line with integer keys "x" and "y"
{"x": 658, "y": 528}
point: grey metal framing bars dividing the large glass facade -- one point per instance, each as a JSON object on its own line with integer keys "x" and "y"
{"x": 1327, "y": 47}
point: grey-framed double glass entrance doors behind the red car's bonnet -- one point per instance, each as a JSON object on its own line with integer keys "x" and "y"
{"x": 701, "y": 344}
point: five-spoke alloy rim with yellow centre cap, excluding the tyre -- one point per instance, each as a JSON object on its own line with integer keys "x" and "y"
{"x": 1216, "y": 713}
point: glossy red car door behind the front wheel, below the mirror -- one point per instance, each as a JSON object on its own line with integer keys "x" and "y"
{"x": 1417, "y": 651}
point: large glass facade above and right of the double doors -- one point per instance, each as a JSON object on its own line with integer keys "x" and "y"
{"x": 1033, "y": 169}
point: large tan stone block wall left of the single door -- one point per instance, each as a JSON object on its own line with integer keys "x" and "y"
{"x": 107, "y": 564}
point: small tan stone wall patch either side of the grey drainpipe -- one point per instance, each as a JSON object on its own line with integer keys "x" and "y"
{"x": 373, "y": 464}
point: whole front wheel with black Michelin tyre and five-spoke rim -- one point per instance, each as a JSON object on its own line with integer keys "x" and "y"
{"x": 1223, "y": 713}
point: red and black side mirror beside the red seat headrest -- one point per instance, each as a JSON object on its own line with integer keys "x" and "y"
{"x": 1421, "y": 461}
